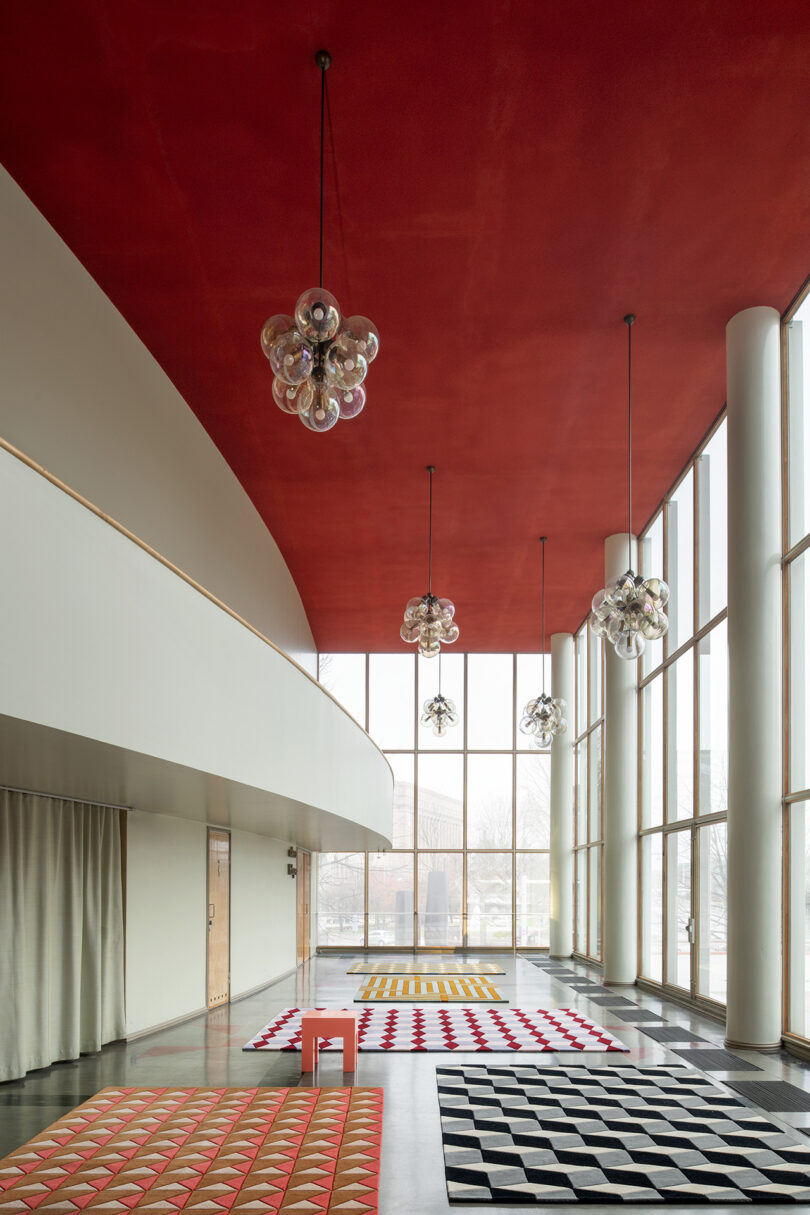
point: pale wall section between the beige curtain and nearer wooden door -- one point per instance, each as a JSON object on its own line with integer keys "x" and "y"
{"x": 166, "y": 919}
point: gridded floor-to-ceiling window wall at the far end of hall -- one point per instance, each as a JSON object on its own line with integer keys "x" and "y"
{"x": 471, "y": 857}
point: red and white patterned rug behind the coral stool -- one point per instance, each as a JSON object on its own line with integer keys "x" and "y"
{"x": 451, "y": 1030}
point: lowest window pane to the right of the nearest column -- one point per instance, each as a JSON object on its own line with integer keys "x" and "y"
{"x": 798, "y": 1018}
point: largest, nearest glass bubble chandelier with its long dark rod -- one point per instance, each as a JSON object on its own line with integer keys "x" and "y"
{"x": 319, "y": 358}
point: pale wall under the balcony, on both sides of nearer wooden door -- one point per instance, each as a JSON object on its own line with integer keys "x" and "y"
{"x": 166, "y": 917}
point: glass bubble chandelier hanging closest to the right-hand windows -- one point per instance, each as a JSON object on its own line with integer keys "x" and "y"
{"x": 631, "y": 611}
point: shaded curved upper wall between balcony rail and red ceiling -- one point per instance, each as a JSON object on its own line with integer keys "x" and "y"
{"x": 83, "y": 397}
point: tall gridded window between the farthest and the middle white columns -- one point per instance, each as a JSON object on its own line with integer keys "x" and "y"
{"x": 588, "y": 716}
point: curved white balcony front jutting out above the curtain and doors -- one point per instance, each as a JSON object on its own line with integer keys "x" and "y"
{"x": 107, "y": 643}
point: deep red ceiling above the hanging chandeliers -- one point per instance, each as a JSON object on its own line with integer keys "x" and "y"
{"x": 512, "y": 177}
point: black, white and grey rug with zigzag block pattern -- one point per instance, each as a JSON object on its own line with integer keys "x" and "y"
{"x": 610, "y": 1134}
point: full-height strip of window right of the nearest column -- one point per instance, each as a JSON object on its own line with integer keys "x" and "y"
{"x": 797, "y": 668}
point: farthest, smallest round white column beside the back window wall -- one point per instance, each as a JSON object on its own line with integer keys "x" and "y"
{"x": 562, "y": 860}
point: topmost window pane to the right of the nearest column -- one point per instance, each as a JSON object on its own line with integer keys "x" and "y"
{"x": 798, "y": 395}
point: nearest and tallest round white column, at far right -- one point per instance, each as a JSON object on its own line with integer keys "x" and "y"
{"x": 755, "y": 980}
